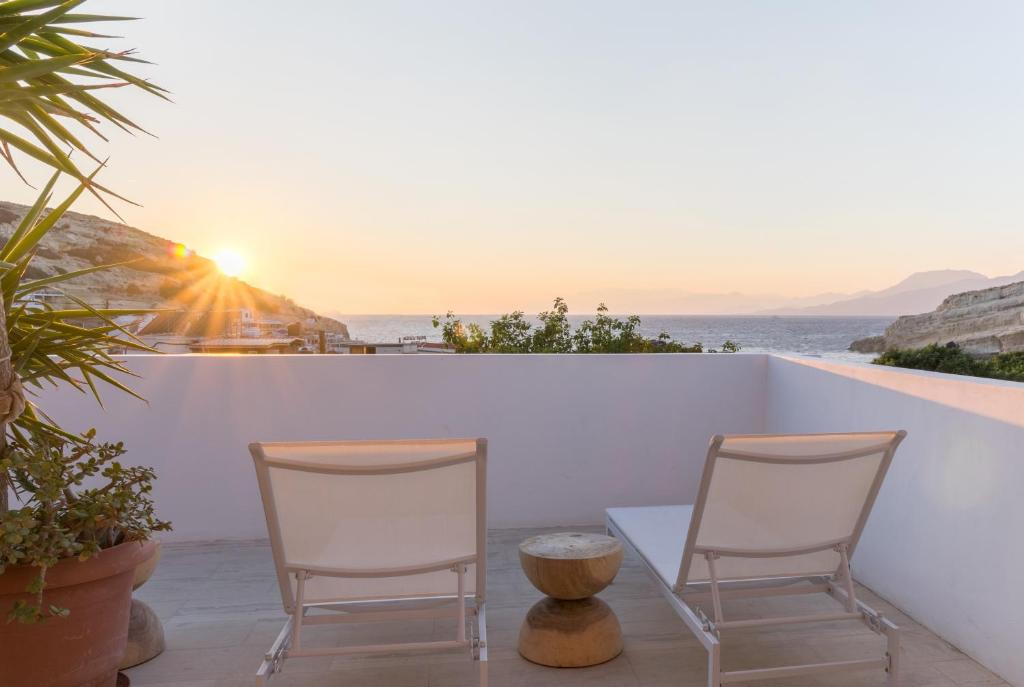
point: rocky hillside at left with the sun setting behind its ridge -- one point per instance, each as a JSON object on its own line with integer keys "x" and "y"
{"x": 159, "y": 277}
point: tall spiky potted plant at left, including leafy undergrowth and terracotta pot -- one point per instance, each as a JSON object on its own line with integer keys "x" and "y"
{"x": 74, "y": 522}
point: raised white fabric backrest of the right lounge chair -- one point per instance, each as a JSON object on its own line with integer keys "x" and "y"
{"x": 779, "y": 506}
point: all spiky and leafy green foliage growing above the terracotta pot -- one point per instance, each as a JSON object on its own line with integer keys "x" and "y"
{"x": 52, "y": 83}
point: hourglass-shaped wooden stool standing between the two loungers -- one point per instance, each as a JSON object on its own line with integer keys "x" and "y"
{"x": 571, "y": 628}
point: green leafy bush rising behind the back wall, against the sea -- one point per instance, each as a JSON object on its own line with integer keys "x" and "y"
{"x": 516, "y": 334}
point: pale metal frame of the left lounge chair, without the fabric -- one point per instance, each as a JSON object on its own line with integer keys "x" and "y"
{"x": 470, "y": 612}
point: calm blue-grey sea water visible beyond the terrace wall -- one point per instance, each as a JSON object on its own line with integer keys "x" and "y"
{"x": 829, "y": 337}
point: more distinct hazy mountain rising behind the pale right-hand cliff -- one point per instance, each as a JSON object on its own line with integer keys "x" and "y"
{"x": 922, "y": 292}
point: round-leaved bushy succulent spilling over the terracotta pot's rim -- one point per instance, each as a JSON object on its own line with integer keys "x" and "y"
{"x": 61, "y": 520}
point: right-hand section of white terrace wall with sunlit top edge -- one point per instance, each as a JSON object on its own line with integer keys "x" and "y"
{"x": 946, "y": 542}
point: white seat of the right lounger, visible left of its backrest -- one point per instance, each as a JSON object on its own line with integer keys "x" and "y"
{"x": 658, "y": 533}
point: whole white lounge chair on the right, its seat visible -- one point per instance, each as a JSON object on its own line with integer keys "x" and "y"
{"x": 775, "y": 516}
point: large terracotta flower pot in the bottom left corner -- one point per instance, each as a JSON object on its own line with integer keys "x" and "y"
{"x": 83, "y": 650}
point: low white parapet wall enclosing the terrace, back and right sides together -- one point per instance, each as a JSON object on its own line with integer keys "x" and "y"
{"x": 571, "y": 436}
